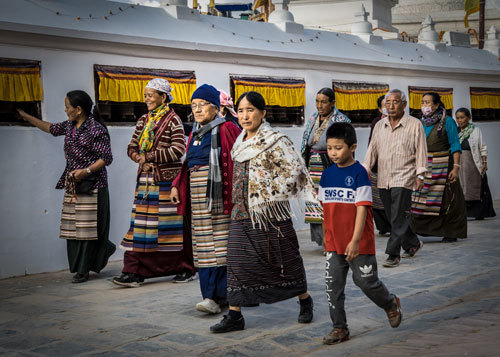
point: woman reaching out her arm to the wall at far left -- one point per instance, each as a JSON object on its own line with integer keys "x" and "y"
{"x": 85, "y": 211}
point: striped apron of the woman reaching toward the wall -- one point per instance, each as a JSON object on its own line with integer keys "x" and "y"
{"x": 79, "y": 217}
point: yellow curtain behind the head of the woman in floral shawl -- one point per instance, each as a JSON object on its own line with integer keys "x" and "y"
{"x": 276, "y": 91}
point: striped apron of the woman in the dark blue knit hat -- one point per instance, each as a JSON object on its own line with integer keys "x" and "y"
{"x": 210, "y": 231}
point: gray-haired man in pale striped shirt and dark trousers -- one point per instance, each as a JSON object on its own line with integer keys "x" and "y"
{"x": 399, "y": 148}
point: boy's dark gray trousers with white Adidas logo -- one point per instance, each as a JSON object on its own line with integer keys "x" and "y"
{"x": 364, "y": 275}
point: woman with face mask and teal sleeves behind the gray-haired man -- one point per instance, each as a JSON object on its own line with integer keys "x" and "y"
{"x": 438, "y": 209}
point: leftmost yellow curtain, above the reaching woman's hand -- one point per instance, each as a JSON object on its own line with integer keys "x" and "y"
{"x": 20, "y": 80}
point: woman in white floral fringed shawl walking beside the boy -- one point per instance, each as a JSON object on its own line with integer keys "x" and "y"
{"x": 264, "y": 262}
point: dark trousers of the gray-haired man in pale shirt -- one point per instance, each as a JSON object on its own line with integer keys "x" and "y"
{"x": 397, "y": 204}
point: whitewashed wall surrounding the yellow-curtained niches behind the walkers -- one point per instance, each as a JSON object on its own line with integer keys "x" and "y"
{"x": 32, "y": 161}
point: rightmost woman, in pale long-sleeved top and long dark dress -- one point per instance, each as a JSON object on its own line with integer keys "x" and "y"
{"x": 473, "y": 166}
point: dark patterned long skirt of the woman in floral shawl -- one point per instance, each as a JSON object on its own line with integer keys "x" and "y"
{"x": 263, "y": 267}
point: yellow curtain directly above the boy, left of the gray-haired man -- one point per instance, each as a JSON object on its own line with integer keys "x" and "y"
{"x": 358, "y": 96}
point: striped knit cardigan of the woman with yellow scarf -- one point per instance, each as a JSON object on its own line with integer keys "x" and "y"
{"x": 168, "y": 146}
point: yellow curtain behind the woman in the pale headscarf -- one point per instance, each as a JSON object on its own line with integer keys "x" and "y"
{"x": 126, "y": 84}
